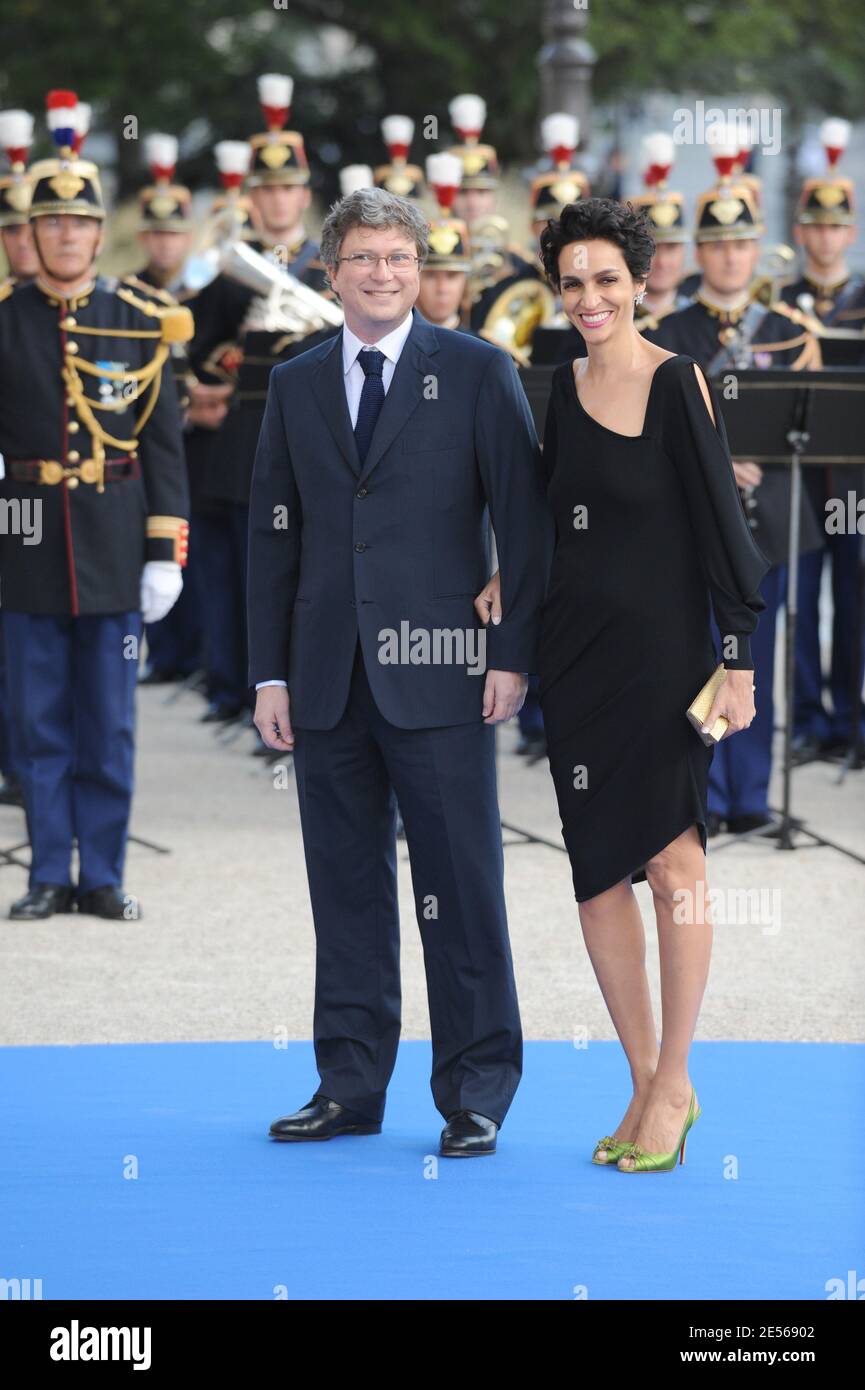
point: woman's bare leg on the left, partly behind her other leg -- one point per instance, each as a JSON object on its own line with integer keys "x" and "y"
{"x": 615, "y": 940}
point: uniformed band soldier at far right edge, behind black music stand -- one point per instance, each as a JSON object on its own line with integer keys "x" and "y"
{"x": 825, "y": 229}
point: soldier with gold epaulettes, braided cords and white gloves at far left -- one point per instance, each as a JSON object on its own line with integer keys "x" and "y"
{"x": 95, "y": 530}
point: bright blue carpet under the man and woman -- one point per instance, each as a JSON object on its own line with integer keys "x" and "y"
{"x": 768, "y": 1204}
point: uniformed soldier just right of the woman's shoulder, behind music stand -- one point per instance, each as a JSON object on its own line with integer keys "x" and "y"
{"x": 727, "y": 330}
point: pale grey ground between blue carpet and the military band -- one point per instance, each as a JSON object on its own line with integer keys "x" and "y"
{"x": 225, "y": 949}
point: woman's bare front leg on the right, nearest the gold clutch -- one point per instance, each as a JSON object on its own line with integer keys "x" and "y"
{"x": 677, "y": 878}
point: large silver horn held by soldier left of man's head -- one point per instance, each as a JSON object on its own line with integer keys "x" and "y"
{"x": 283, "y": 305}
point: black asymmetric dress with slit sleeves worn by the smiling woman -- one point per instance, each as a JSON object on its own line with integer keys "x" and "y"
{"x": 650, "y": 532}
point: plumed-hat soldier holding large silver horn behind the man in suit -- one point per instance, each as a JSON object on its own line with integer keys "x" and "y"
{"x": 233, "y": 323}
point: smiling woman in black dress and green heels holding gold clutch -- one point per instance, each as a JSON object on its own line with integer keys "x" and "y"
{"x": 650, "y": 530}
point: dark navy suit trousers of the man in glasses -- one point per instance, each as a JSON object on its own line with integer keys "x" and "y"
{"x": 350, "y": 782}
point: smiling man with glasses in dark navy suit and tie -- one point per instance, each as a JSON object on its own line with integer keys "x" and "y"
{"x": 385, "y": 454}
